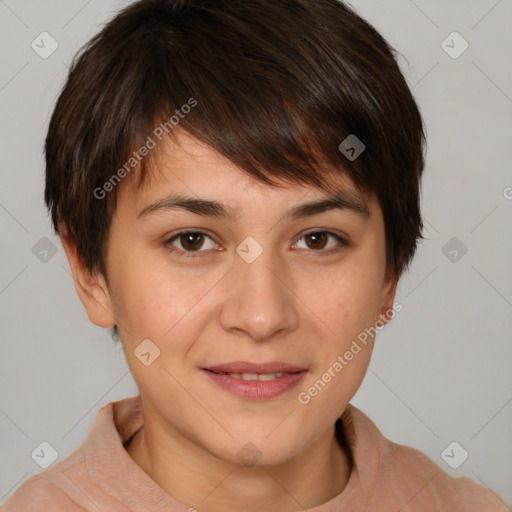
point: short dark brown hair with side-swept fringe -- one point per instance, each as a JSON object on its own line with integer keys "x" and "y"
{"x": 278, "y": 86}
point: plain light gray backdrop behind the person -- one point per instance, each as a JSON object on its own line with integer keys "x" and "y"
{"x": 441, "y": 370}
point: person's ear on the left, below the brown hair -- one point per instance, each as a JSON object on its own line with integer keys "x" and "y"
{"x": 91, "y": 287}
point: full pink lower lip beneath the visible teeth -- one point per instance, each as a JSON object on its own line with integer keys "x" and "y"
{"x": 257, "y": 389}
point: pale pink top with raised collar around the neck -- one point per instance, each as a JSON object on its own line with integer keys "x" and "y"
{"x": 386, "y": 477}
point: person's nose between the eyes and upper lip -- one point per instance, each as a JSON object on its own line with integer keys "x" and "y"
{"x": 260, "y": 303}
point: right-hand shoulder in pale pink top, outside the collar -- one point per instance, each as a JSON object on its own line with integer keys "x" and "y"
{"x": 394, "y": 475}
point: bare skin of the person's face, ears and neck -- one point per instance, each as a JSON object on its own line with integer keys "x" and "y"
{"x": 296, "y": 303}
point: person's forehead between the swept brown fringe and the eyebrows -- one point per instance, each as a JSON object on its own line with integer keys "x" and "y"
{"x": 186, "y": 168}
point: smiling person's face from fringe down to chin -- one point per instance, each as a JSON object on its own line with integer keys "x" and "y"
{"x": 264, "y": 288}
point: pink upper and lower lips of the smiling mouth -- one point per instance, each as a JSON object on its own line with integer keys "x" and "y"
{"x": 256, "y": 389}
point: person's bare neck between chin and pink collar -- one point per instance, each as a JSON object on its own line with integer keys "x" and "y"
{"x": 200, "y": 480}
